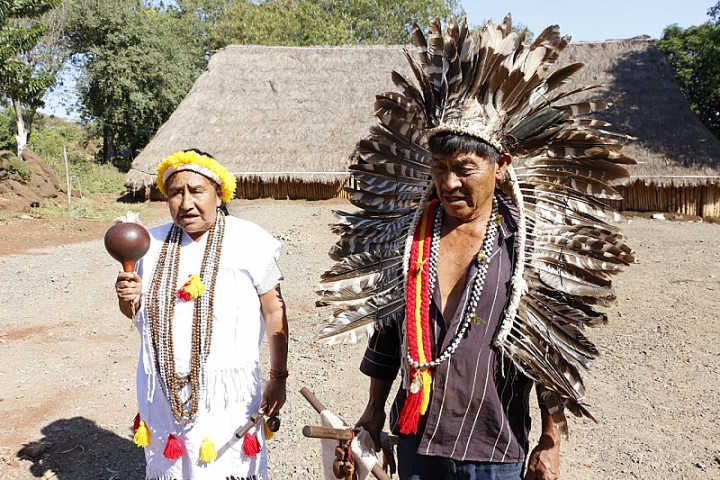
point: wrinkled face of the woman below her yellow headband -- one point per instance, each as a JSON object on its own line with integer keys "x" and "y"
{"x": 193, "y": 200}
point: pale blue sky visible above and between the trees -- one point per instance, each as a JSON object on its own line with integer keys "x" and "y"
{"x": 583, "y": 20}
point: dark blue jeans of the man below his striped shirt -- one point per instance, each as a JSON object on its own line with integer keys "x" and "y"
{"x": 414, "y": 466}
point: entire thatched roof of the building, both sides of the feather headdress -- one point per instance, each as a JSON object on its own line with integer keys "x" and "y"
{"x": 282, "y": 112}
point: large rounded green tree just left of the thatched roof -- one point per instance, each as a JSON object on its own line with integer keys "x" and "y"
{"x": 137, "y": 64}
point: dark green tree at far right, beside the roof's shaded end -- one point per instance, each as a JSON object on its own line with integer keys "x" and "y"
{"x": 694, "y": 56}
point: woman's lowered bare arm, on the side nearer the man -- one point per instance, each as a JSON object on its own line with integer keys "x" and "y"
{"x": 272, "y": 307}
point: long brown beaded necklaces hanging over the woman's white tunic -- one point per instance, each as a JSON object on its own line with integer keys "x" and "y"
{"x": 161, "y": 311}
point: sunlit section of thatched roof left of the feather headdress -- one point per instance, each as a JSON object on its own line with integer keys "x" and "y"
{"x": 279, "y": 112}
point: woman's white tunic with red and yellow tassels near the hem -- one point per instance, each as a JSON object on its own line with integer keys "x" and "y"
{"x": 248, "y": 268}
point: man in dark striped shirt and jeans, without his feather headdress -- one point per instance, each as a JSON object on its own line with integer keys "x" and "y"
{"x": 476, "y": 418}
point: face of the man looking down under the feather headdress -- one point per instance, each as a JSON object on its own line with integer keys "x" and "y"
{"x": 465, "y": 183}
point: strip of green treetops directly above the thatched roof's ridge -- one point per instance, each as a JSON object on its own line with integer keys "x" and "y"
{"x": 314, "y": 22}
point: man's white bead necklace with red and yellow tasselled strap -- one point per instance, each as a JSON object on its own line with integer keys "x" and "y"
{"x": 422, "y": 273}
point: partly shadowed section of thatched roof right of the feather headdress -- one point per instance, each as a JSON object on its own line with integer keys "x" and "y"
{"x": 673, "y": 145}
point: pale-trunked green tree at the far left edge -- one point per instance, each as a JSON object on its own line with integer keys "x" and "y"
{"x": 23, "y": 78}
